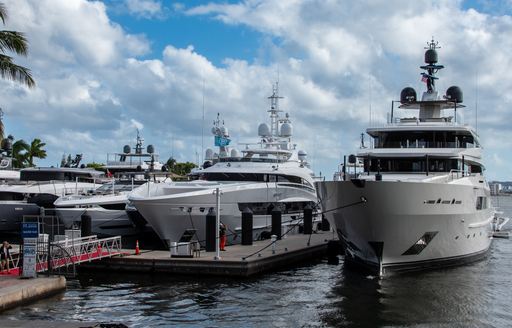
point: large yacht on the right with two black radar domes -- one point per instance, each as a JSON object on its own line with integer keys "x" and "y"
{"x": 422, "y": 200}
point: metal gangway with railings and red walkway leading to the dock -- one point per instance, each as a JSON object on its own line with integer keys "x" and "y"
{"x": 71, "y": 252}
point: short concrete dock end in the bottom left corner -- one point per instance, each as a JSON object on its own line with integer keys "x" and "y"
{"x": 15, "y": 291}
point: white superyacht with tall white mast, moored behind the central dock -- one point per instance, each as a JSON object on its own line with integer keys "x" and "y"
{"x": 270, "y": 174}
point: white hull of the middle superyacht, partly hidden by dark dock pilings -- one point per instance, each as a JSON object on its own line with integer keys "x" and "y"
{"x": 171, "y": 215}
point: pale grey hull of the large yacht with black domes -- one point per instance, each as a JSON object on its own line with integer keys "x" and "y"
{"x": 409, "y": 225}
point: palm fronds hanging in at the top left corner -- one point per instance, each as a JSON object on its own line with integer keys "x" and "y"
{"x": 14, "y": 42}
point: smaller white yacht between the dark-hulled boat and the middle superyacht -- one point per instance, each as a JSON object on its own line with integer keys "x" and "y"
{"x": 108, "y": 205}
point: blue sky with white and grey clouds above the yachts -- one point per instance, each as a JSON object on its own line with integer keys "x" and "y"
{"x": 104, "y": 69}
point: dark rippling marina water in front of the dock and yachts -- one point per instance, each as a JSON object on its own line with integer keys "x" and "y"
{"x": 315, "y": 295}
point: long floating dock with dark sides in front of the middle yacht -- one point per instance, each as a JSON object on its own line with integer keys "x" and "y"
{"x": 236, "y": 261}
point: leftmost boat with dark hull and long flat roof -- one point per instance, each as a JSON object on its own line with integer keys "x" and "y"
{"x": 37, "y": 189}
